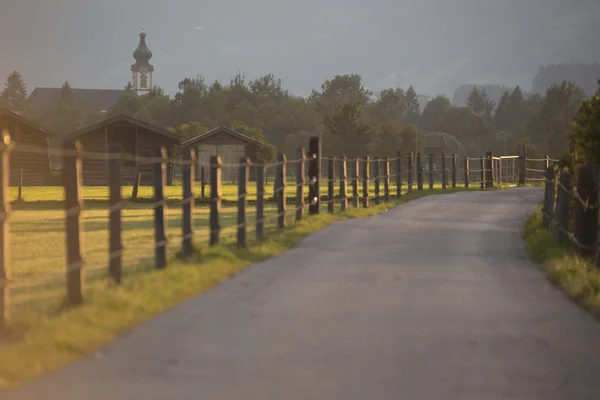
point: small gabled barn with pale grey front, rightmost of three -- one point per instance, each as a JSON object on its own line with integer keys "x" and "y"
{"x": 228, "y": 144}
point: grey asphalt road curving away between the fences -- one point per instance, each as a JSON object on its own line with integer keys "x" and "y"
{"x": 434, "y": 299}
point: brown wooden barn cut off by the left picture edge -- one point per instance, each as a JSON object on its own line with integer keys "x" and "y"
{"x": 31, "y": 165}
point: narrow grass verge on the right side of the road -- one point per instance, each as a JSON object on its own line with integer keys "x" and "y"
{"x": 579, "y": 278}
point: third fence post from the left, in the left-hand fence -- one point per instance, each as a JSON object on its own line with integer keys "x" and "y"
{"x": 115, "y": 203}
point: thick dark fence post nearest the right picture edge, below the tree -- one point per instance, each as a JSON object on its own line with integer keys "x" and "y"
{"x": 586, "y": 215}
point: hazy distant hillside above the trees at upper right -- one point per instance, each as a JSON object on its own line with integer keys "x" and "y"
{"x": 585, "y": 76}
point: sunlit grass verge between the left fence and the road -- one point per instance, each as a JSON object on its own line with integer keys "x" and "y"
{"x": 46, "y": 335}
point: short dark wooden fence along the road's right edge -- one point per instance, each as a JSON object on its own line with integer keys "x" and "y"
{"x": 570, "y": 208}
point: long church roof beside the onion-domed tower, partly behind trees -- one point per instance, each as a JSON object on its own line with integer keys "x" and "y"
{"x": 101, "y": 99}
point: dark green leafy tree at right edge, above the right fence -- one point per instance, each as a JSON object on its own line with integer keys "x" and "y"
{"x": 584, "y": 135}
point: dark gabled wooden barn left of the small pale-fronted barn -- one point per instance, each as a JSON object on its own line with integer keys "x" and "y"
{"x": 135, "y": 137}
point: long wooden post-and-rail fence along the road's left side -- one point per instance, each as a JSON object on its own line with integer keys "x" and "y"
{"x": 350, "y": 182}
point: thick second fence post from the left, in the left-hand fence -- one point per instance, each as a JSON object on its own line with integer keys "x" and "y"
{"x": 72, "y": 181}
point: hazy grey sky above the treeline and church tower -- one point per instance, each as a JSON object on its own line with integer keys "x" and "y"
{"x": 434, "y": 44}
